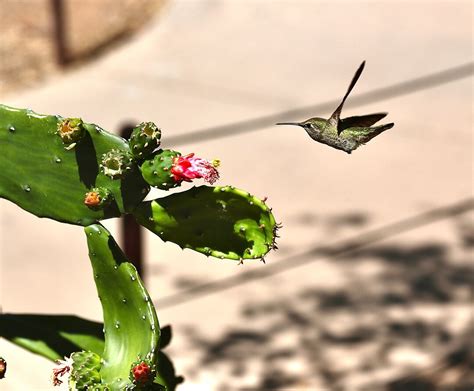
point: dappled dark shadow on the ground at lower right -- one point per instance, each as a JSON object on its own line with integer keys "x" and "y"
{"x": 401, "y": 323}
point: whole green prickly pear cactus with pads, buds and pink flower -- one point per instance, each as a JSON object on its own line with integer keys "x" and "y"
{"x": 75, "y": 172}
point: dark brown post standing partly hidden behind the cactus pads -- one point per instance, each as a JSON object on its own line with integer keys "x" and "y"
{"x": 131, "y": 232}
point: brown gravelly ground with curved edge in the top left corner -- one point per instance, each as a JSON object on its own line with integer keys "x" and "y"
{"x": 28, "y": 48}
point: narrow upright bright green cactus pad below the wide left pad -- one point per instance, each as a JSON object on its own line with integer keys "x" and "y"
{"x": 131, "y": 329}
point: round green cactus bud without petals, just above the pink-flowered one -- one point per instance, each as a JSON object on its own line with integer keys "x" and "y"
{"x": 145, "y": 138}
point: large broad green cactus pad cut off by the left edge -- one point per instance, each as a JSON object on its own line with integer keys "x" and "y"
{"x": 41, "y": 176}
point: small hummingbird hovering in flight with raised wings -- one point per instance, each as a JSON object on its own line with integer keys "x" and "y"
{"x": 345, "y": 134}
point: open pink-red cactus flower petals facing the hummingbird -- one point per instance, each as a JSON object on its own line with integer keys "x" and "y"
{"x": 186, "y": 168}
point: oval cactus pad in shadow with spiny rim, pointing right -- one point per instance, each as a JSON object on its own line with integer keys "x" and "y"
{"x": 220, "y": 221}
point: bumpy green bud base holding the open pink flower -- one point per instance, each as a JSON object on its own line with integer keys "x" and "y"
{"x": 157, "y": 171}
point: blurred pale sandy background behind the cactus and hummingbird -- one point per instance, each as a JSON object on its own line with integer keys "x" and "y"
{"x": 371, "y": 288}
